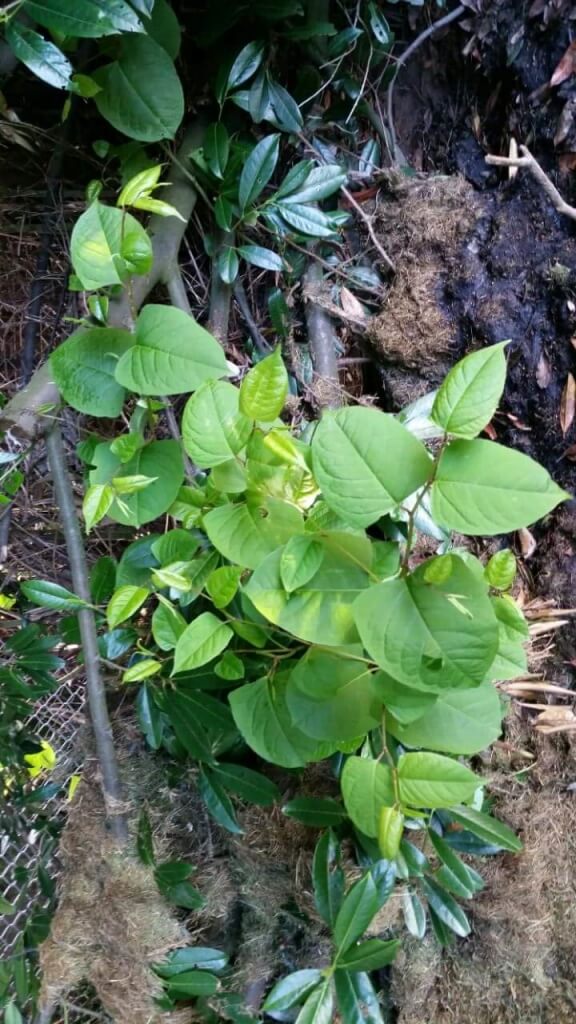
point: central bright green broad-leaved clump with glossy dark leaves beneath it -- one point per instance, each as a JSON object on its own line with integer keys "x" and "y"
{"x": 289, "y": 609}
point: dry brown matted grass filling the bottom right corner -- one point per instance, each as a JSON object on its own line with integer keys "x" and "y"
{"x": 519, "y": 966}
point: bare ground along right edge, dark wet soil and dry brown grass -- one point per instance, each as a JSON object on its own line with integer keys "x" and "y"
{"x": 482, "y": 261}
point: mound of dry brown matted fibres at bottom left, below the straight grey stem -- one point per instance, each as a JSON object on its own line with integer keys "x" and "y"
{"x": 112, "y": 922}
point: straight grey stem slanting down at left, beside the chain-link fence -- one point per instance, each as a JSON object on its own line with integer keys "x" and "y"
{"x": 100, "y": 719}
